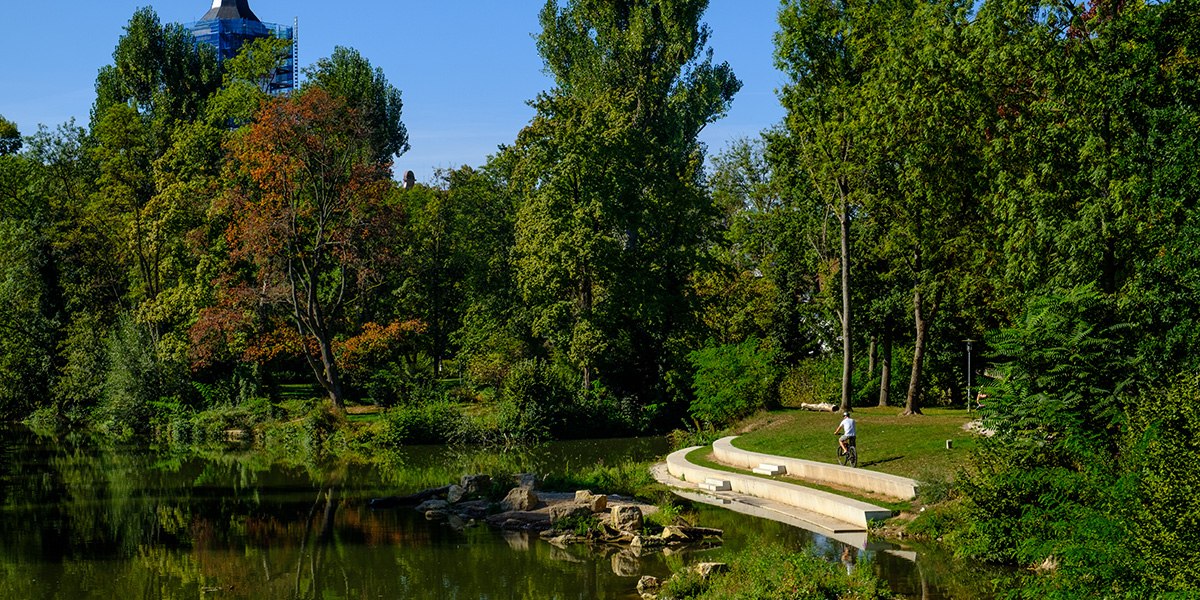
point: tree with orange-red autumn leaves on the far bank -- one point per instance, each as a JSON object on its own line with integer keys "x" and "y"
{"x": 309, "y": 223}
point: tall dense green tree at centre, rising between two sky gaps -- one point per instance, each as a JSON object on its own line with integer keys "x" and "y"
{"x": 614, "y": 213}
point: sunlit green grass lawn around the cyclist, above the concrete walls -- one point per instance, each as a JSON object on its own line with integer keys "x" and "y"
{"x": 913, "y": 447}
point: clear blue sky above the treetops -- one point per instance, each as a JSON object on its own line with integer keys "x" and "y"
{"x": 465, "y": 68}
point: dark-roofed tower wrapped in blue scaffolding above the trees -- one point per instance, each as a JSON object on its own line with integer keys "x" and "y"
{"x": 230, "y": 25}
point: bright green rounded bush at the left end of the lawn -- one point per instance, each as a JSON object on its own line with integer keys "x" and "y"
{"x": 733, "y": 381}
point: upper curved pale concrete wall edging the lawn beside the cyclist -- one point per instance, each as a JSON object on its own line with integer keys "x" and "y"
{"x": 824, "y": 473}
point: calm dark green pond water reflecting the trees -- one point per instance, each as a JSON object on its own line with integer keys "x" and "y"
{"x": 86, "y": 520}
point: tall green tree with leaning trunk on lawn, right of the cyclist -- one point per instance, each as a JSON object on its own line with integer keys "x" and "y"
{"x": 925, "y": 107}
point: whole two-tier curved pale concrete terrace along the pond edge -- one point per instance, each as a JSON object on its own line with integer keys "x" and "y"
{"x": 835, "y": 515}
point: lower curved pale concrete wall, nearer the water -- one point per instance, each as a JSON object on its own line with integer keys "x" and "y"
{"x": 836, "y": 507}
